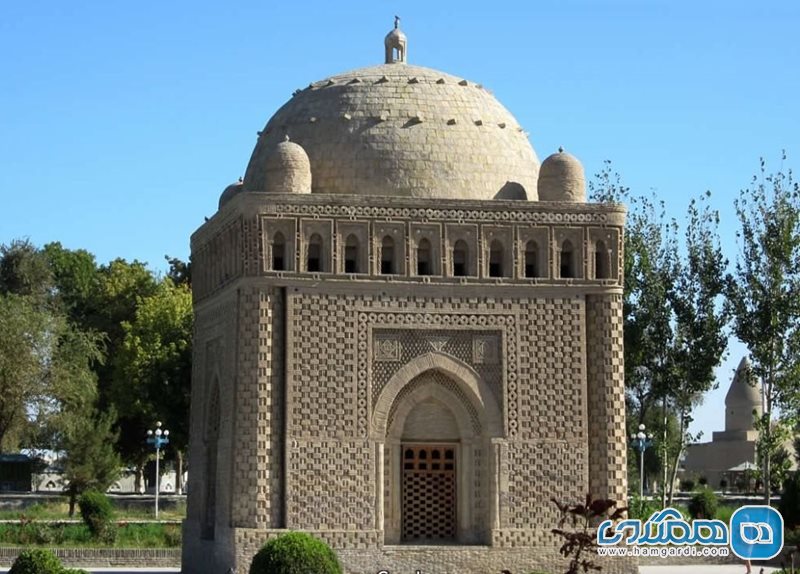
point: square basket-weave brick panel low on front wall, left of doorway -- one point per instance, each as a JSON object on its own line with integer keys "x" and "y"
{"x": 331, "y": 485}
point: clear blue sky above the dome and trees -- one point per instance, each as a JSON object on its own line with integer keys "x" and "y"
{"x": 121, "y": 123}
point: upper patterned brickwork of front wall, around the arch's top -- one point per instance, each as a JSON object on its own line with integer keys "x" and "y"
{"x": 548, "y": 367}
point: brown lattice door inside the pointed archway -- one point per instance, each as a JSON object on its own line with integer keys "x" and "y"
{"x": 429, "y": 493}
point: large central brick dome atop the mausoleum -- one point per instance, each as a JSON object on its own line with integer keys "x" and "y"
{"x": 401, "y": 130}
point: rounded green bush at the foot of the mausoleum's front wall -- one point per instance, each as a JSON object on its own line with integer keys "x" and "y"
{"x": 295, "y": 553}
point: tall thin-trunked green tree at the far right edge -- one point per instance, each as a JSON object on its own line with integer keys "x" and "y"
{"x": 764, "y": 292}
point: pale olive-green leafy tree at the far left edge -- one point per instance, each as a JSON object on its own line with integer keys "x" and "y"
{"x": 45, "y": 362}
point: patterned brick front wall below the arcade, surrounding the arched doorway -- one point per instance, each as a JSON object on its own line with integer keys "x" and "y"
{"x": 344, "y": 349}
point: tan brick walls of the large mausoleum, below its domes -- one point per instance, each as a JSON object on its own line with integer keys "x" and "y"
{"x": 330, "y": 347}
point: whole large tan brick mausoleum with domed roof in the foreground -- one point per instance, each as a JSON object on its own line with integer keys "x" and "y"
{"x": 408, "y": 335}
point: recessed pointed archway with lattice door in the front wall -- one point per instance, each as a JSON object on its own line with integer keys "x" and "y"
{"x": 436, "y": 405}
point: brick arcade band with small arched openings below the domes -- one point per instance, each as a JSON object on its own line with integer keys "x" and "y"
{"x": 236, "y": 241}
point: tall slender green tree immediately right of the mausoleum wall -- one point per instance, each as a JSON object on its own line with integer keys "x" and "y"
{"x": 673, "y": 315}
